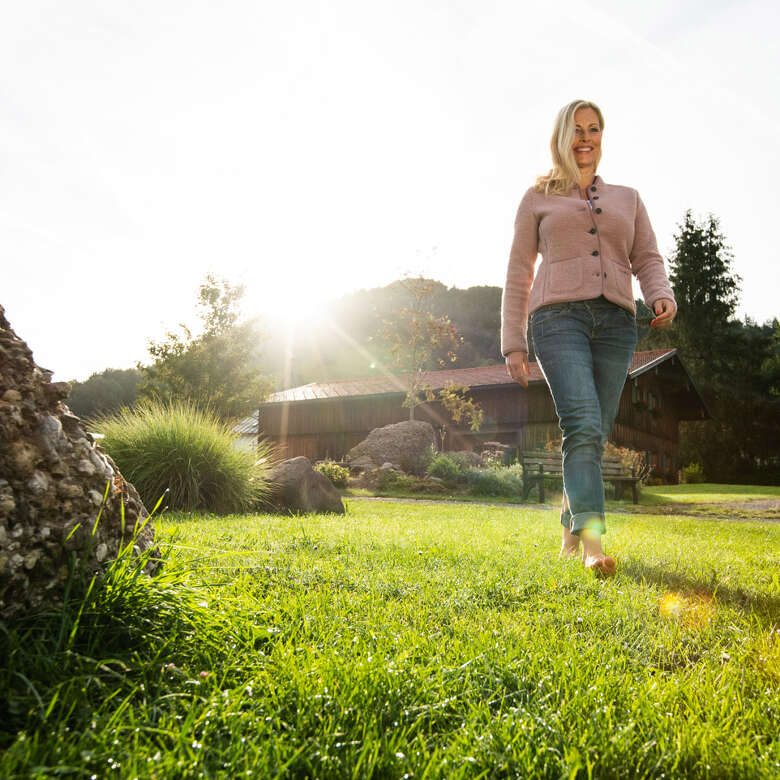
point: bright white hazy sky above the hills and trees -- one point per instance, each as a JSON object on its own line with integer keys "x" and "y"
{"x": 309, "y": 149}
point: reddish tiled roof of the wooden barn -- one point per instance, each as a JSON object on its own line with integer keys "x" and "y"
{"x": 479, "y": 376}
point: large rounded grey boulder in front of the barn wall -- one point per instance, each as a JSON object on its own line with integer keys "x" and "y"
{"x": 402, "y": 443}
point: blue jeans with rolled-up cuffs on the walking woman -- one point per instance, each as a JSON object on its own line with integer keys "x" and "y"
{"x": 584, "y": 349}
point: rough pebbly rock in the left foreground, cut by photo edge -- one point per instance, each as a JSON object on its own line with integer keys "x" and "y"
{"x": 53, "y": 479}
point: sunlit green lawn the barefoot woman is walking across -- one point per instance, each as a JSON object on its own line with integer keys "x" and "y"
{"x": 408, "y": 640}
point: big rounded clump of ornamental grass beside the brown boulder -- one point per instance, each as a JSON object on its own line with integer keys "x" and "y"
{"x": 186, "y": 450}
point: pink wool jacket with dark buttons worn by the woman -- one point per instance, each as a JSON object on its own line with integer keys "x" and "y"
{"x": 586, "y": 252}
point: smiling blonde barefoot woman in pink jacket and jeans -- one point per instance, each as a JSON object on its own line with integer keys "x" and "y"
{"x": 592, "y": 237}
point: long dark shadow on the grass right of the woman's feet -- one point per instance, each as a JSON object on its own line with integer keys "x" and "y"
{"x": 765, "y": 607}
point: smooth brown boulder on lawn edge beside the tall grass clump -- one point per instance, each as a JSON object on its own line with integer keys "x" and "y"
{"x": 298, "y": 487}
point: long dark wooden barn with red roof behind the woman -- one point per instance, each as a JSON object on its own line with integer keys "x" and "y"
{"x": 324, "y": 420}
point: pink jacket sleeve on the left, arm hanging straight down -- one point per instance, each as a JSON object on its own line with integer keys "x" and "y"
{"x": 519, "y": 276}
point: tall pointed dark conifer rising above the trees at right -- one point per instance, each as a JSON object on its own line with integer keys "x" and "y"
{"x": 707, "y": 293}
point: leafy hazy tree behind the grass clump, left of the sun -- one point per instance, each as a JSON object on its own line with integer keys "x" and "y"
{"x": 220, "y": 367}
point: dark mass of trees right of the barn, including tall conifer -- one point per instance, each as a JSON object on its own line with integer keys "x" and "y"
{"x": 734, "y": 364}
